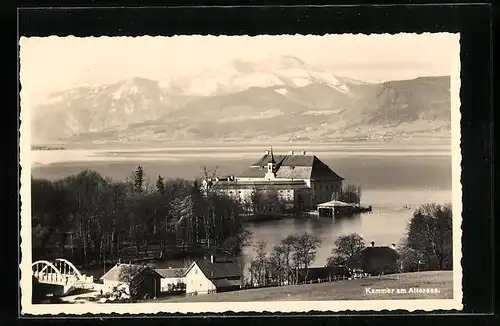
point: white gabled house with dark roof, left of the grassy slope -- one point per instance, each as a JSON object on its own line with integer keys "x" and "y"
{"x": 210, "y": 276}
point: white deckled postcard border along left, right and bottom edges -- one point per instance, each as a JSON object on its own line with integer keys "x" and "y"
{"x": 27, "y": 308}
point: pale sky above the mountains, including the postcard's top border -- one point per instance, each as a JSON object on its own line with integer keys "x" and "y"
{"x": 54, "y": 63}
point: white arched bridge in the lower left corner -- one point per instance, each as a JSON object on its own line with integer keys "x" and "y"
{"x": 63, "y": 273}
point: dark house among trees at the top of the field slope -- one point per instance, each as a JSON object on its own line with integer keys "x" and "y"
{"x": 375, "y": 260}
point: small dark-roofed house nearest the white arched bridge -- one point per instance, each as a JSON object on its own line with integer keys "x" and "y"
{"x": 146, "y": 281}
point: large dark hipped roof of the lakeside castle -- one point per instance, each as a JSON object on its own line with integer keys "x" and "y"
{"x": 293, "y": 167}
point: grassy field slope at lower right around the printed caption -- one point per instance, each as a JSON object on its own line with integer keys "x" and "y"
{"x": 342, "y": 290}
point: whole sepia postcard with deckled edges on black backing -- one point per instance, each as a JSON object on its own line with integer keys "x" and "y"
{"x": 282, "y": 173}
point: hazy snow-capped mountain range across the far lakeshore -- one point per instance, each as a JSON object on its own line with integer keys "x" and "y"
{"x": 278, "y": 100}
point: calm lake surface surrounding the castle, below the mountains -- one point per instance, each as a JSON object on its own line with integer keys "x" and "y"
{"x": 391, "y": 177}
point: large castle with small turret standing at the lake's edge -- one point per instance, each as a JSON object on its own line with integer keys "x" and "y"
{"x": 299, "y": 179}
